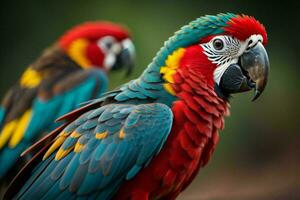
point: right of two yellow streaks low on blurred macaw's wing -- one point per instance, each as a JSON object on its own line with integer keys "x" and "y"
{"x": 20, "y": 129}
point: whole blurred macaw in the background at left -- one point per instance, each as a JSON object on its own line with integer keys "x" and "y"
{"x": 71, "y": 71}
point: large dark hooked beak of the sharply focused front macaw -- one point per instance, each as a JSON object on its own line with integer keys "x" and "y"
{"x": 251, "y": 72}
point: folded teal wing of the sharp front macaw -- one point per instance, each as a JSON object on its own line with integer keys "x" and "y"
{"x": 103, "y": 164}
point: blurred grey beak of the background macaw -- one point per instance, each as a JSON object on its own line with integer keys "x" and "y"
{"x": 126, "y": 58}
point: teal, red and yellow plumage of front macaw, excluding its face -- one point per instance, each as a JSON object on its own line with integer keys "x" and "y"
{"x": 150, "y": 140}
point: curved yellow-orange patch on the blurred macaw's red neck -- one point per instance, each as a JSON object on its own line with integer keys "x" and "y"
{"x": 77, "y": 52}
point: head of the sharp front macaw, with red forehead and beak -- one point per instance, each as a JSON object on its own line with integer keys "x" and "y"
{"x": 226, "y": 49}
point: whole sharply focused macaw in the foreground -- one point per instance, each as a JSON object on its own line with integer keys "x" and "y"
{"x": 149, "y": 138}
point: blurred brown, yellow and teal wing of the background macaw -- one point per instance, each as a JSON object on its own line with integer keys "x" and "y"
{"x": 23, "y": 122}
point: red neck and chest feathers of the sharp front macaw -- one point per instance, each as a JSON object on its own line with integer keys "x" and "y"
{"x": 198, "y": 116}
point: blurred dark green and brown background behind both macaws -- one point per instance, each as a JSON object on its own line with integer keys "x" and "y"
{"x": 258, "y": 154}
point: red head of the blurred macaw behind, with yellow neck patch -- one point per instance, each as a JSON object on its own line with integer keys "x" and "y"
{"x": 99, "y": 44}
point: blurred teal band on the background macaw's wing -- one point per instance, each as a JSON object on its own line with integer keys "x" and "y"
{"x": 63, "y": 103}
